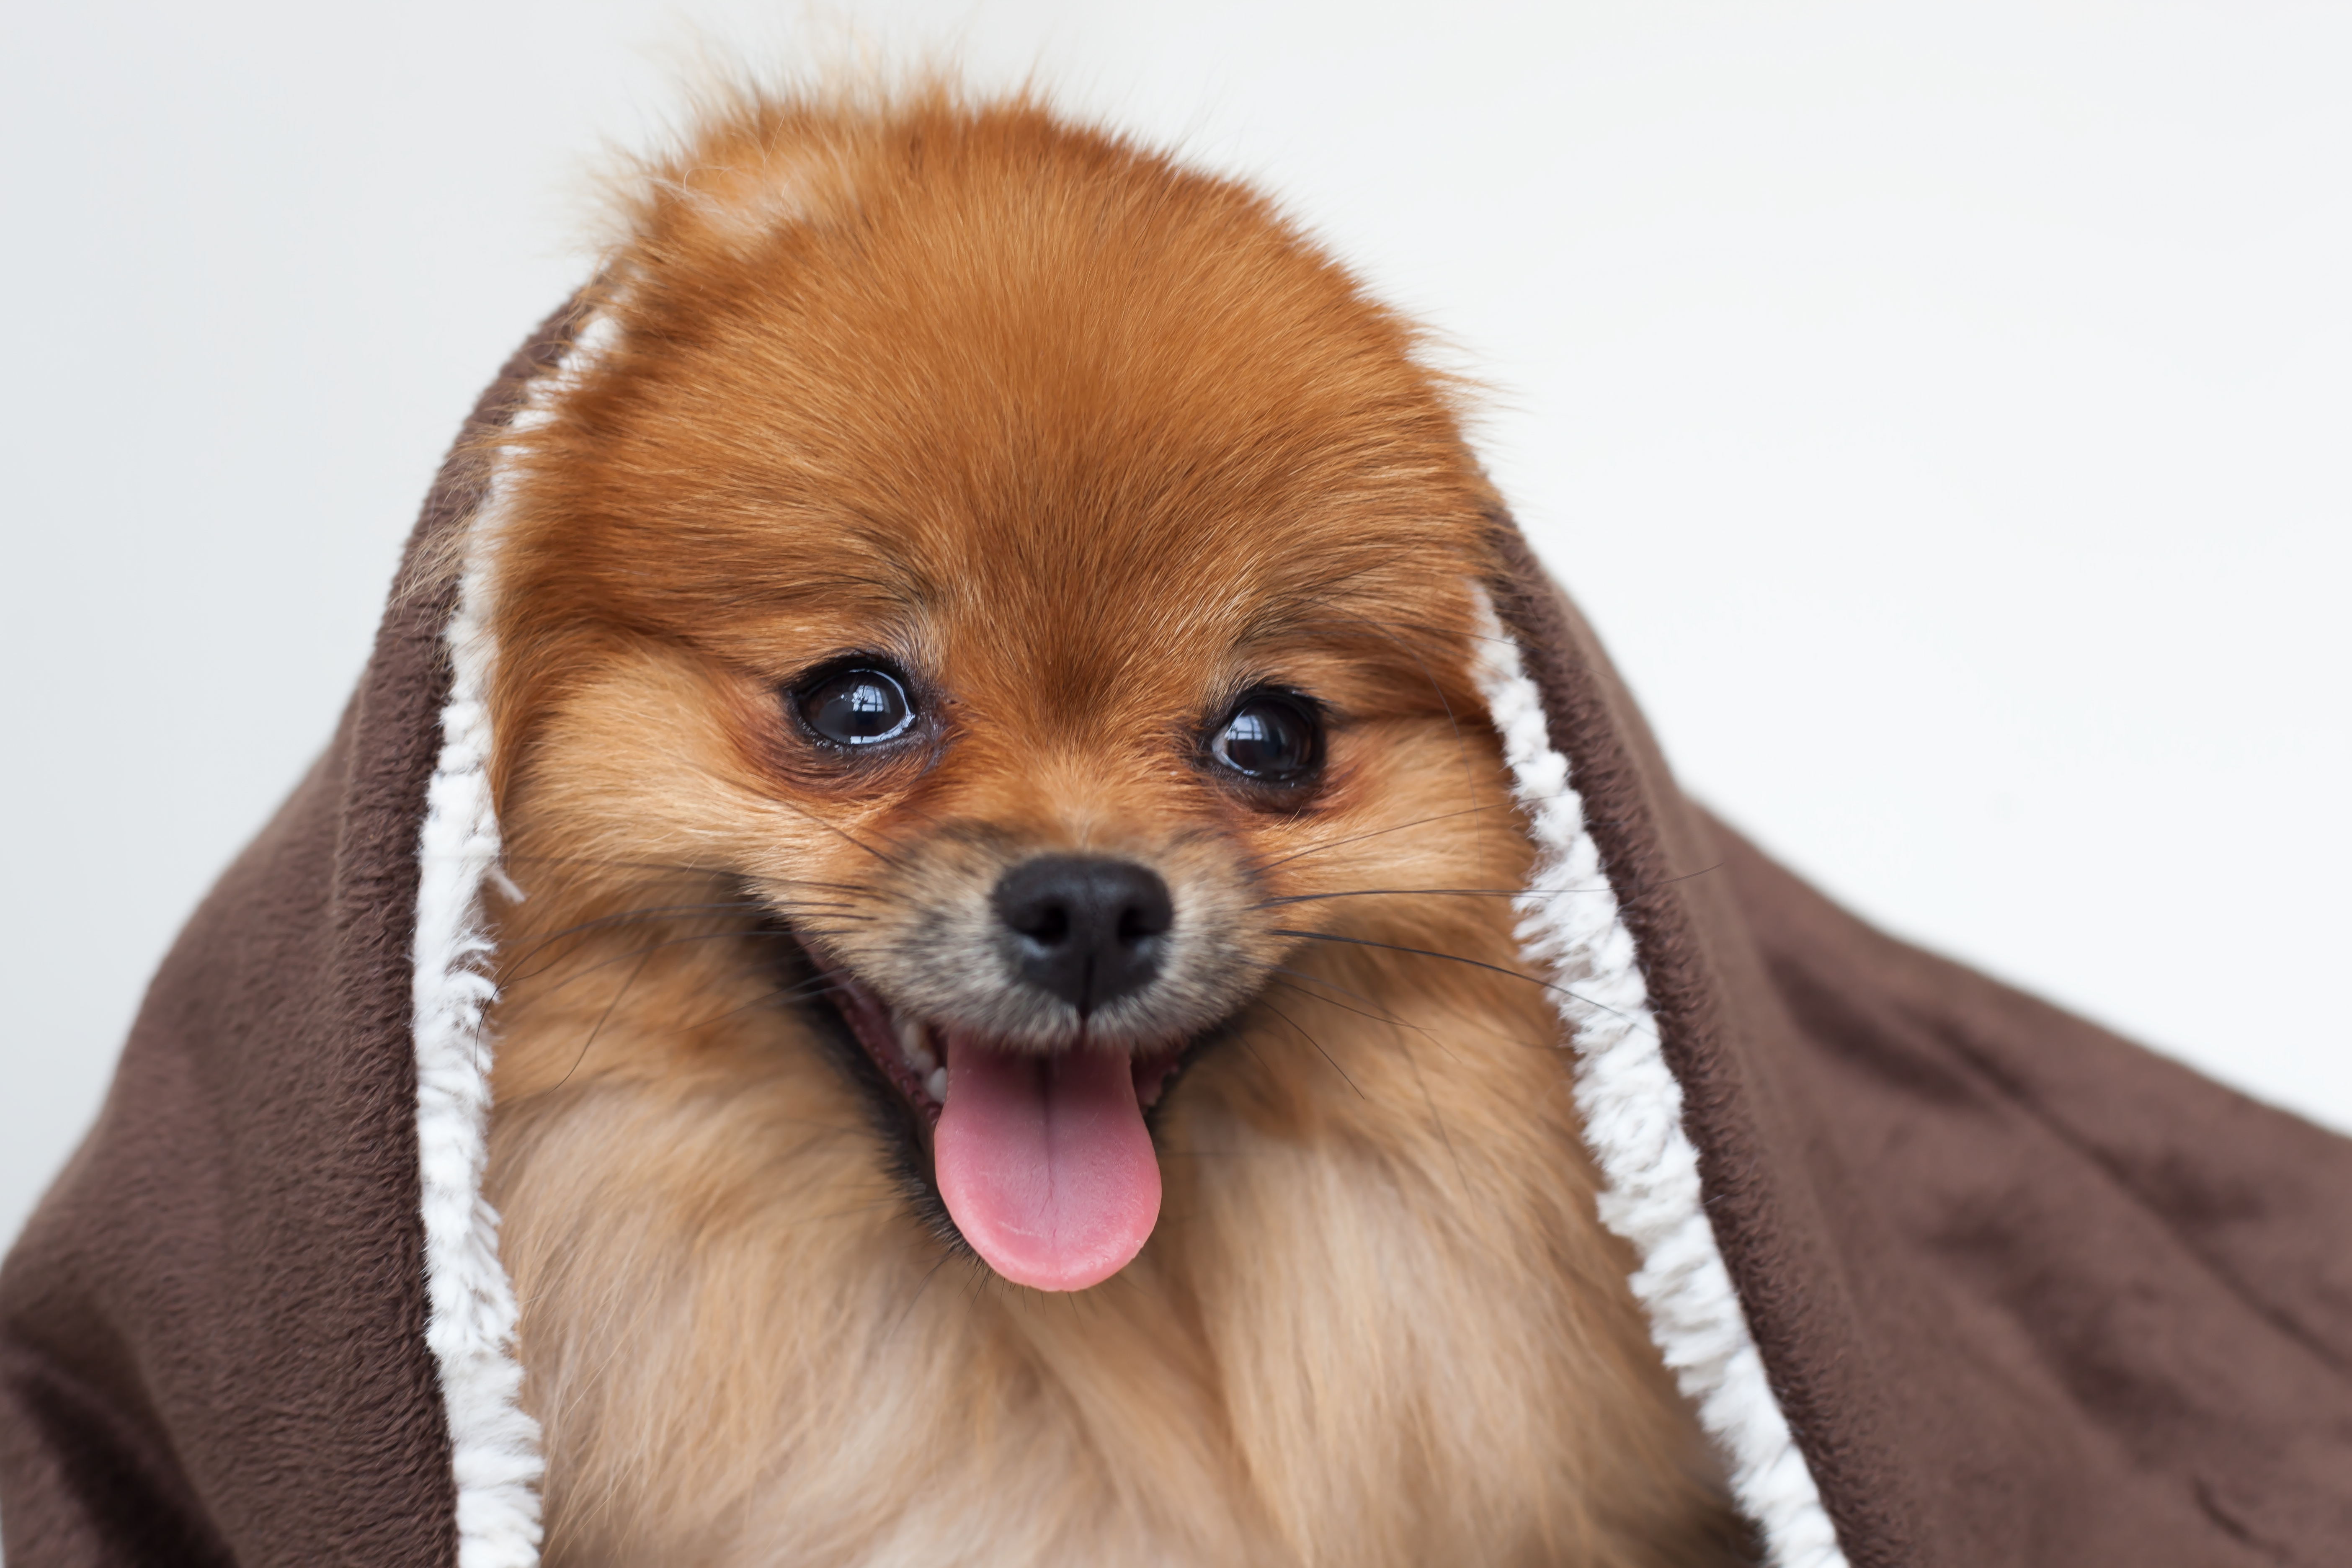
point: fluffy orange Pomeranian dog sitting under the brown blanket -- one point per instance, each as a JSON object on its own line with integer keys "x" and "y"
{"x": 1013, "y": 1047}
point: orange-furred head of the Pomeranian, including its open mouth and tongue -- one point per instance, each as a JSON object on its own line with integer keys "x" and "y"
{"x": 1017, "y": 565}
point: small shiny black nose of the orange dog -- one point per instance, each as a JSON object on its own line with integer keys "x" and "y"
{"x": 1085, "y": 930}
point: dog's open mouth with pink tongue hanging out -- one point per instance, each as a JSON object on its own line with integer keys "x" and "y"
{"x": 1041, "y": 1160}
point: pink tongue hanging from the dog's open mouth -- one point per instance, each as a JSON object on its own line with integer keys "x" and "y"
{"x": 1045, "y": 1165}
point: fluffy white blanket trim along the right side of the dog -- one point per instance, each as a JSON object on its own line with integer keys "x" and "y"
{"x": 1633, "y": 1123}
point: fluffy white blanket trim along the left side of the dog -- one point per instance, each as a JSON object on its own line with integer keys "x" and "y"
{"x": 472, "y": 1301}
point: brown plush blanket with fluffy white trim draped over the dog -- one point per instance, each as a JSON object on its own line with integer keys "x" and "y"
{"x": 1951, "y": 1275}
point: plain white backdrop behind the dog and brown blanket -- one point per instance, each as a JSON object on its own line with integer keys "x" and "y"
{"x": 1942, "y": 410}
